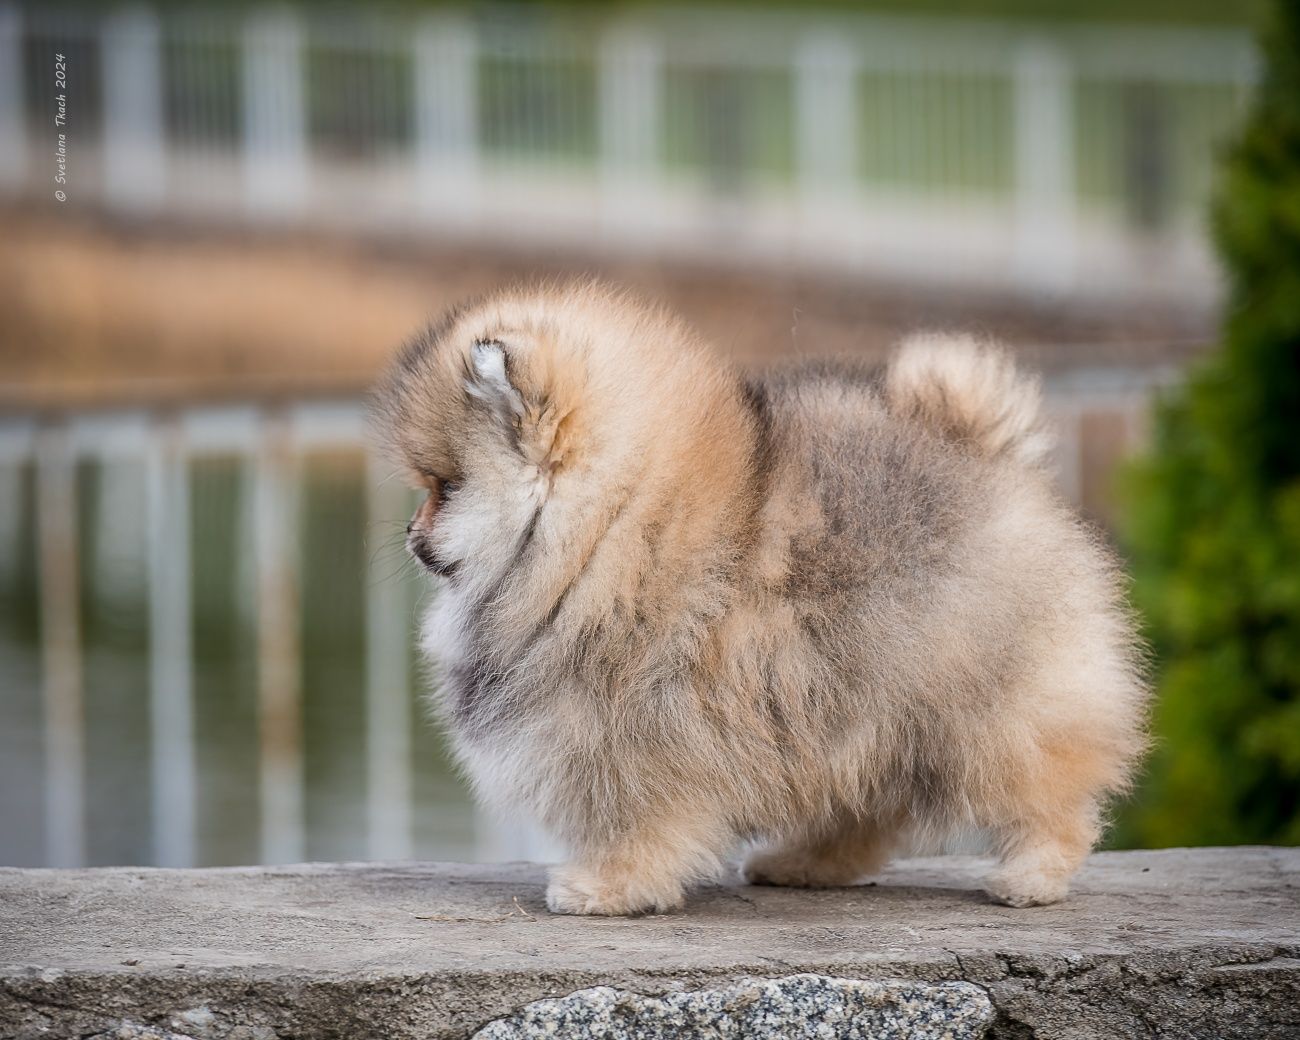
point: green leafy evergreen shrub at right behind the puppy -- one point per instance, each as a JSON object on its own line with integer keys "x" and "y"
{"x": 1215, "y": 515}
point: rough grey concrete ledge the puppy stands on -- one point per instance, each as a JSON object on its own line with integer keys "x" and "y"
{"x": 1181, "y": 943}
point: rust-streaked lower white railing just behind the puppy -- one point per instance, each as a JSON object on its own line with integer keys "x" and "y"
{"x": 1099, "y": 415}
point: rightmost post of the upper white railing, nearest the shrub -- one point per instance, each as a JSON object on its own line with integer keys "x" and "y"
{"x": 1045, "y": 168}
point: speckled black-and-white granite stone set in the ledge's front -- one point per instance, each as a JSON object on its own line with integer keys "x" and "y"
{"x": 792, "y": 1008}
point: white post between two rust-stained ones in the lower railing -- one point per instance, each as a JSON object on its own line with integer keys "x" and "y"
{"x": 174, "y": 781}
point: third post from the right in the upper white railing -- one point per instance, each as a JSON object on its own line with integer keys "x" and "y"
{"x": 631, "y": 103}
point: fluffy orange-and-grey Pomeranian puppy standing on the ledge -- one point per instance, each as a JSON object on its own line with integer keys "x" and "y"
{"x": 822, "y": 614}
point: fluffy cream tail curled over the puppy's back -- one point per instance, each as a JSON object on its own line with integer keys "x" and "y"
{"x": 972, "y": 393}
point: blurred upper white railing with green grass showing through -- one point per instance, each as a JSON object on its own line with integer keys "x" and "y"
{"x": 1017, "y": 157}
